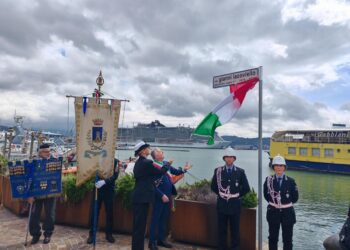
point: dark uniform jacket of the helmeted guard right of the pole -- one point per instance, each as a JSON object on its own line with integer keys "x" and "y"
{"x": 289, "y": 194}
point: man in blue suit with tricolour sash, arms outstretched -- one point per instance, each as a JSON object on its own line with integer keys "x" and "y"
{"x": 161, "y": 206}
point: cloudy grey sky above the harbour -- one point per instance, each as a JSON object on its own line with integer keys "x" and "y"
{"x": 162, "y": 56}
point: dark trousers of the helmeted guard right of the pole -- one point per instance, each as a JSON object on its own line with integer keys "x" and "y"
{"x": 281, "y": 217}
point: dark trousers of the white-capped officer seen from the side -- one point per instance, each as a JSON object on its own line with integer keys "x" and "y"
{"x": 140, "y": 211}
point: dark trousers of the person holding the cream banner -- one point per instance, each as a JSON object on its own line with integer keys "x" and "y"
{"x": 107, "y": 199}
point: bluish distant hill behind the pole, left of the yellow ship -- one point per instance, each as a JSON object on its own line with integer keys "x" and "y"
{"x": 247, "y": 143}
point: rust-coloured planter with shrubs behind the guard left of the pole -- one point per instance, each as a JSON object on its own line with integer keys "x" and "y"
{"x": 195, "y": 216}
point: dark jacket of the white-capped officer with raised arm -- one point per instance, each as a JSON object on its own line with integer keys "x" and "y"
{"x": 145, "y": 174}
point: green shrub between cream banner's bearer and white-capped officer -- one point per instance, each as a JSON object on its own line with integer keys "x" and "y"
{"x": 125, "y": 186}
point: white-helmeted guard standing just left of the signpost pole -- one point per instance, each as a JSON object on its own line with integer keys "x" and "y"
{"x": 230, "y": 184}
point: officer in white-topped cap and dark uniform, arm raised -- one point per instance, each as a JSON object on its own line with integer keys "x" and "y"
{"x": 144, "y": 192}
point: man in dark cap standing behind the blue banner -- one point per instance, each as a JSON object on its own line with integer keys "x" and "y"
{"x": 49, "y": 204}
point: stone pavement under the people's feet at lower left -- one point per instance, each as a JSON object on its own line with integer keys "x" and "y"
{"x": 13, "y": 232}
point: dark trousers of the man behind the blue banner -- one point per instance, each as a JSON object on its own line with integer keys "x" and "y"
{"x": 49, "y": 222}
